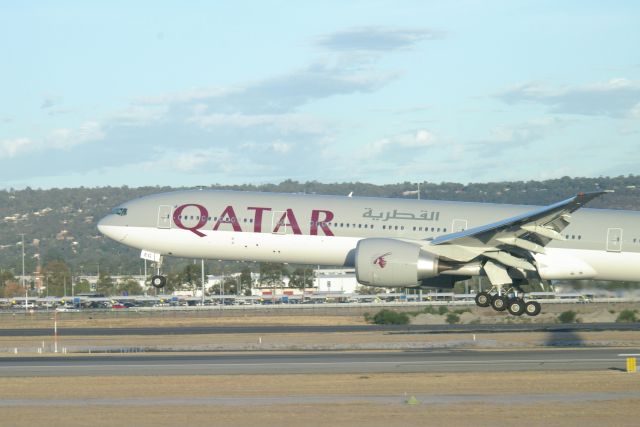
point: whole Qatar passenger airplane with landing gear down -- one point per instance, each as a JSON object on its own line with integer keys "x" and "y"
{"x": 390, "y": 242}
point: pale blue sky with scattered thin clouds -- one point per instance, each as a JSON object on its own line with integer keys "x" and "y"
{"x": 235, "y": 92}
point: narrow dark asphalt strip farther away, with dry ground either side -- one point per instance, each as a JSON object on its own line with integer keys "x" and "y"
{"x": 279, "y": 329}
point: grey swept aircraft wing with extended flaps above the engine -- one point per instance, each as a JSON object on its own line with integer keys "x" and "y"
{"x": 511, "y": 240}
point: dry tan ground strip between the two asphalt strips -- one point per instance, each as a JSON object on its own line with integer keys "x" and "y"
{"x": 314, "y": 342}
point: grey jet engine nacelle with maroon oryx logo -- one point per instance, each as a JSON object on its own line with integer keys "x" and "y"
{"x": 393, "y": 263}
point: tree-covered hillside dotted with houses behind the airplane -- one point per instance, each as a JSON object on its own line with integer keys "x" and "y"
{"x": 61, "y": 223}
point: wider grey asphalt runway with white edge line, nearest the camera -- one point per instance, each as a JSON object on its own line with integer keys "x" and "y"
{"x": 318, "y": 362}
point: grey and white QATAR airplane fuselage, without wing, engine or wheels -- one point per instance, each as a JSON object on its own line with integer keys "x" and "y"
{"x": 600, "y": 244}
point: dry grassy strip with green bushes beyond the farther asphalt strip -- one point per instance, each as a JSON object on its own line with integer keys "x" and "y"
{"x": 586, "y": 313}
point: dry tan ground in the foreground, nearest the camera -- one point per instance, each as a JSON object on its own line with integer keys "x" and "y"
{"x": 479, "y": 399}
